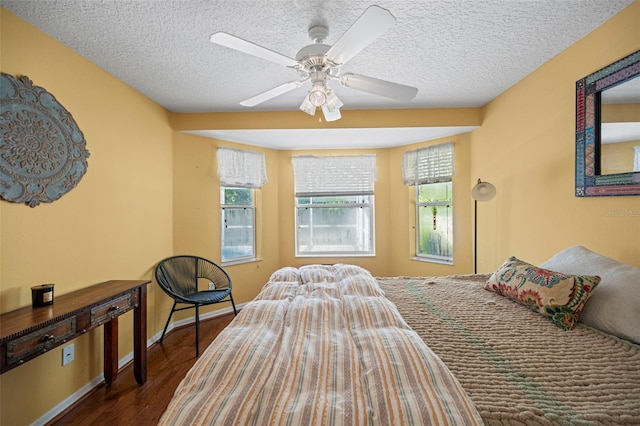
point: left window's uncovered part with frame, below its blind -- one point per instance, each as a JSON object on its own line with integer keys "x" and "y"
{"x": 238, "y": 224}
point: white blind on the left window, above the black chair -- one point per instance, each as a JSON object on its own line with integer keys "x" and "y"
{"x": 240, "y": 168}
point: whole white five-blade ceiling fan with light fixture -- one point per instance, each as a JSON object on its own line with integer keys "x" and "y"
{"x": 319, "y": 63}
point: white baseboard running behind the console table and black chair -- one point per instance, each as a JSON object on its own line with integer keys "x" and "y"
{"x": 80, "y": 393}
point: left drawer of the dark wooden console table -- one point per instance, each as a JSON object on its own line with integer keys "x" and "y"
{"x": 23, "y": 347}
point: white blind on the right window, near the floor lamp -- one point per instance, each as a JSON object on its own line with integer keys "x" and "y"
{"x": 428, "y": 165}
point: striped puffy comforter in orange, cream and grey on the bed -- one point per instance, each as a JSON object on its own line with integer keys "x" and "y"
{"x": 320, "y": 345}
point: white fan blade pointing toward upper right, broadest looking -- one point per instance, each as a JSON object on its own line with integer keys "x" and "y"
{"x": 369, "y": 26}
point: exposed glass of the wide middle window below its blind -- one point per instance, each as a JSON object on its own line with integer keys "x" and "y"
{"x": 335, "y": 225}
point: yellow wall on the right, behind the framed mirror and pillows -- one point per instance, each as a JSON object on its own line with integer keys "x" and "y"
{"x": 525, "y": 147}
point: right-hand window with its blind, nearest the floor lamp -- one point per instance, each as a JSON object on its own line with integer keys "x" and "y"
{"x": 430, "y": 170}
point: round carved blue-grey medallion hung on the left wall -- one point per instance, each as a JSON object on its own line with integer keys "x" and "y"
{"x": 43, "y": 153}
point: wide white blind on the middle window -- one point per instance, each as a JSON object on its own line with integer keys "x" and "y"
{"x": 334, "y": 175}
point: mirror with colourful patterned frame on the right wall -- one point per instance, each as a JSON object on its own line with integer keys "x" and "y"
{"x": 608, "y": 130}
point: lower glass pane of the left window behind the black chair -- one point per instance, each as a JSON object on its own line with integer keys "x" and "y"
{"x": 237, "y": 233}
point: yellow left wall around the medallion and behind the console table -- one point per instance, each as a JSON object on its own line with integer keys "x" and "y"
{"x": 115, "y": 224}
